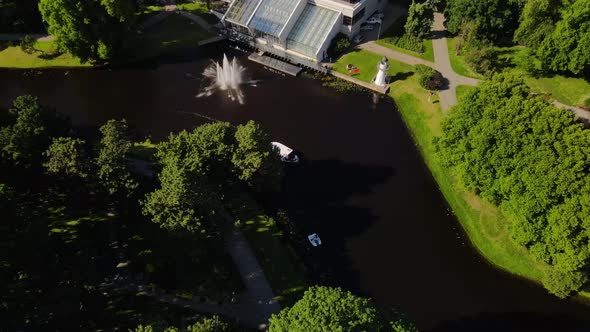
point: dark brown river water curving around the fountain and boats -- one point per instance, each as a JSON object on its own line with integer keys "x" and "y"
{"x": 387, "y": 232}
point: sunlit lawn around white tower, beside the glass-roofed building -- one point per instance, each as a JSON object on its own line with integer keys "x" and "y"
{"x": 367, "y": 63}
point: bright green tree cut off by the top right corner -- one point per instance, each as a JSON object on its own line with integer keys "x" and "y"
{"x": 566, "y": 49}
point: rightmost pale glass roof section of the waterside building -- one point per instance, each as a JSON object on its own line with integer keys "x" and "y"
{"x": 311, "y": 29}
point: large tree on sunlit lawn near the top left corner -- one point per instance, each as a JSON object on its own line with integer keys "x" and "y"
{"x": 90, "y": 30}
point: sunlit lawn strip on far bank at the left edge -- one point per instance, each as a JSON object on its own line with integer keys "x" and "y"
{"x": 14, "y": 57}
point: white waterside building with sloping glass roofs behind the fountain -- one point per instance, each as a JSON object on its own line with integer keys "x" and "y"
{"x": 297, "y": 28}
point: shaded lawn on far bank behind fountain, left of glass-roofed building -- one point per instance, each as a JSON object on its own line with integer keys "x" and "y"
{"x": 171, "y": 34}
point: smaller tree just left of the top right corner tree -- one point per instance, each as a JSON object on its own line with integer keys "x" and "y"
{"x": 537, "y": 21}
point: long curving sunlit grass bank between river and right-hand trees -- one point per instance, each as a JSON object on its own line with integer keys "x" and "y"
{"x": 483, "y": 222}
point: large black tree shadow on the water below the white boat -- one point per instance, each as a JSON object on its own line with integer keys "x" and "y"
{"x": 318, "y": 195}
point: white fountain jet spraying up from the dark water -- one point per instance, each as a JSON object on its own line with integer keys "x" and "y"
{"x": 227, "y": 76}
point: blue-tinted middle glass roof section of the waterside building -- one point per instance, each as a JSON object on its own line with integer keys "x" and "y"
{"x": 272, "y": 15}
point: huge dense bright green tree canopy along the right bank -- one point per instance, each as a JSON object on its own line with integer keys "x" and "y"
{"x": 529, "y": 158}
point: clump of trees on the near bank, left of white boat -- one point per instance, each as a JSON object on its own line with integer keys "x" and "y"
{"x": 201, "y": 166}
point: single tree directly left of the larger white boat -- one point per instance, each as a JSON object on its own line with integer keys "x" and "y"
{"x": 254, "y": 158}
